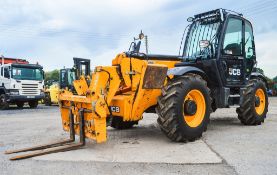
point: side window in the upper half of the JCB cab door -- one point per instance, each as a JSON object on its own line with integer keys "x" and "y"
{"x": 233, "y": 38}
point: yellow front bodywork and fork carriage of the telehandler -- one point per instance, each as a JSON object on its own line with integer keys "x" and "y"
{"x": 114, "y": 89}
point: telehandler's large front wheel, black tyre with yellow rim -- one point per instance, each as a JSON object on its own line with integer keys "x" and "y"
{"x": 184, "y": 108}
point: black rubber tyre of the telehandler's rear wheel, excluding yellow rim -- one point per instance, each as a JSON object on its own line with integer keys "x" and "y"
{"x": 246, "y": 112}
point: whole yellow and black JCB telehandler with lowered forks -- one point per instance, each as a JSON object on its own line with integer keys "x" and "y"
{"x": 216, "y": 70}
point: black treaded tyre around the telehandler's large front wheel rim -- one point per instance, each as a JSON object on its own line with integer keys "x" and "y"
{"x": 167, "y": 103}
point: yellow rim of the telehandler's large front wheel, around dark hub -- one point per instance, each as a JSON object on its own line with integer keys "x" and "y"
{"x": 196, "y": 119}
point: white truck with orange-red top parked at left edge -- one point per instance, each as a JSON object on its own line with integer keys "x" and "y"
{"x": 20, "y": 82}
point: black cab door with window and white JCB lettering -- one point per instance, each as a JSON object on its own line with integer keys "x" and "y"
{"x": 231, "y": 60}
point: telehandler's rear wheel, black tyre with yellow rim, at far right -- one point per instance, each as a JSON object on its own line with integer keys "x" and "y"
{"x": 254, "y": 106}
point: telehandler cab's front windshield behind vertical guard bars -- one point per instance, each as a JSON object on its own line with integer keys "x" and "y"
{"x": 200, "y": 30}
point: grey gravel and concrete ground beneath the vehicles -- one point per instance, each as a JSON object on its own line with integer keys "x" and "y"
{"x": 226, "y": 148}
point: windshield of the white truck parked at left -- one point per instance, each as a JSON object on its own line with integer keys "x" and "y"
{"x": 22, "y": 73}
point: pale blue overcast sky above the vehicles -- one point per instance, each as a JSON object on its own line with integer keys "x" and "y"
{"x": 51, "y": 32}
